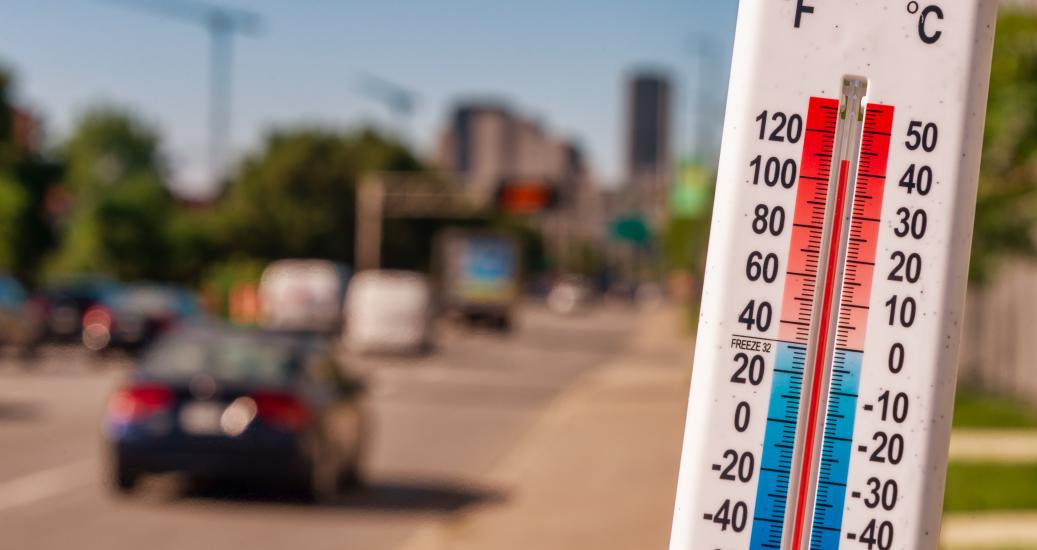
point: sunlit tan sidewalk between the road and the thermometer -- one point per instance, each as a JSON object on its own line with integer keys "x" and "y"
{"x": 599, "y": 471}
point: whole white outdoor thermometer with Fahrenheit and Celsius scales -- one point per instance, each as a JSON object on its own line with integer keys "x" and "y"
{"x": 825, "y": 371}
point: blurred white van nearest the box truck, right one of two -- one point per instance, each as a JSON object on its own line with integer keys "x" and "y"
{"x": 389, "y": 312}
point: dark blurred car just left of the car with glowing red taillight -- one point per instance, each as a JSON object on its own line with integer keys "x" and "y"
{"x": 64, "y": 306}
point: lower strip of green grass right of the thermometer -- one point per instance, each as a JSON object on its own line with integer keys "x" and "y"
{"x": 986, "y": 487}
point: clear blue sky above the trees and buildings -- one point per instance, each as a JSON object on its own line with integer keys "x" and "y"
{"x": 560, "y": 62}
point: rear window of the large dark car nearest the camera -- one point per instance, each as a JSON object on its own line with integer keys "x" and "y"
{"x": 242, "y": 359}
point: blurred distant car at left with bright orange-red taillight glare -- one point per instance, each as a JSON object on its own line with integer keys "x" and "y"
{"x": 131, "y": 319}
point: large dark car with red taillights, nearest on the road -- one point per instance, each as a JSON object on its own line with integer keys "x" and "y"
{"x": 239, "y": 404}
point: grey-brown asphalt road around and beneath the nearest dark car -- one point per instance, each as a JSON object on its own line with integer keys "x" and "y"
{"x": 440, "y": 423}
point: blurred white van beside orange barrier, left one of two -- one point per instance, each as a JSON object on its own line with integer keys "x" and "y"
{"x": 303, "y": 295}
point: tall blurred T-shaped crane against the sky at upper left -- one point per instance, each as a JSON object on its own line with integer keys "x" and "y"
{"x": 222, "y": 24}
